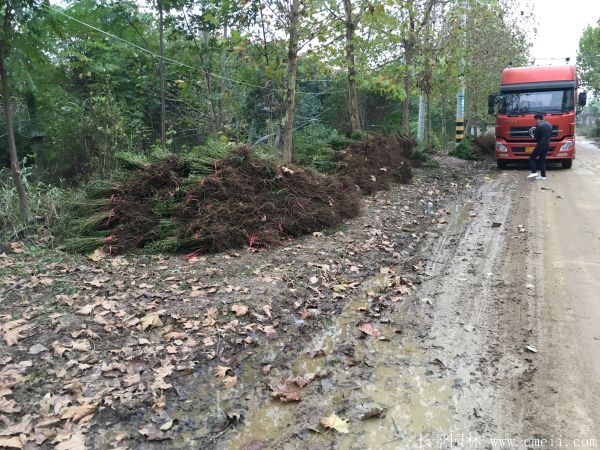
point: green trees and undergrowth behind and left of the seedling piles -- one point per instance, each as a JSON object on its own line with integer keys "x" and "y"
{"x": 88, "y": 94}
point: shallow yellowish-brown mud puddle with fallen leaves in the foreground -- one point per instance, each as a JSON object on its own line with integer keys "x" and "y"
{"x": 390, "y": 374}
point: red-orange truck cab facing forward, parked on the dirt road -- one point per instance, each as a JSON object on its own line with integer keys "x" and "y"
{"x": 525, "y": 91}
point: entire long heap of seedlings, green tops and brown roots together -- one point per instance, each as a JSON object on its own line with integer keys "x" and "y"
{"x": 207, "y": 203}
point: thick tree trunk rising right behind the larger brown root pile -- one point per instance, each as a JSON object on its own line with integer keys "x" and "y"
{"x": 290, "y": 94}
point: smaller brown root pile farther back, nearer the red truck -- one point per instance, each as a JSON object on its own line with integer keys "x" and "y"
{"x": 376, "y": 162}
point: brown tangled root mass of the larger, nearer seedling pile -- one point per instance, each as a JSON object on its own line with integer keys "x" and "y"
{"x": 252, "y": 202}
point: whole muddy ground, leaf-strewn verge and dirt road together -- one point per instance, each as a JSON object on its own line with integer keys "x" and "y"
{"x": 460, "y": 311}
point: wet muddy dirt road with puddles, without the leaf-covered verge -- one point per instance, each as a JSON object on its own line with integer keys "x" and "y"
{"x": 500, "y": 342}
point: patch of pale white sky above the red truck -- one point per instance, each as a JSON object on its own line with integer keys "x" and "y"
{"x": 560, "y": 24}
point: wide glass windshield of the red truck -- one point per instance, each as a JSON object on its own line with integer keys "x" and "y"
{"x": 550, "y": 101}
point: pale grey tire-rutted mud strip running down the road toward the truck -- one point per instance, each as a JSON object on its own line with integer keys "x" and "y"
{"x": 482, "y": 322}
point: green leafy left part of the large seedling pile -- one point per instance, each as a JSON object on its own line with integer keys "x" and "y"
{"x": 121, "y": 216}
